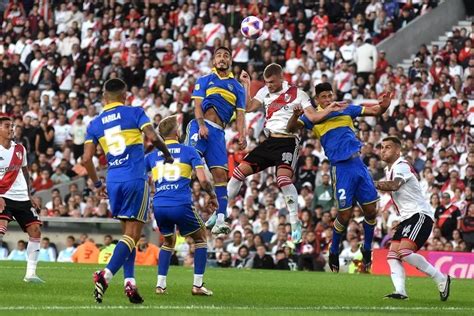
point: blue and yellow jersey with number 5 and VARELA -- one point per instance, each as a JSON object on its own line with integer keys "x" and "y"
{"x": 118, "y": 130}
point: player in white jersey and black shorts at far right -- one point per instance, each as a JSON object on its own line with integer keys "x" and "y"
{"x": 416, "y": 221}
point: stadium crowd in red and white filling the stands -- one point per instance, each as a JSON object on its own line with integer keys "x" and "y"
{"x": 56, "y": 55}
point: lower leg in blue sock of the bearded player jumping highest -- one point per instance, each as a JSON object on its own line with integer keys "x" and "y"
{"x": 220, "y": 179}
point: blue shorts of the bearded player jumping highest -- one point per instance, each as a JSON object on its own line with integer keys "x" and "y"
{"x": 213, "y": 149}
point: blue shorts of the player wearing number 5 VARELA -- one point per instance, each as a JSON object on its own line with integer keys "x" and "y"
{"x": 129, "y": 200}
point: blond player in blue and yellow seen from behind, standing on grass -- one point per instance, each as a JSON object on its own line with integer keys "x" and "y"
{"x": 173, "y": 203}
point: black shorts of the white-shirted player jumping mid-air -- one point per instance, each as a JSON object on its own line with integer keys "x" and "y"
{"x": 274, "y": 151}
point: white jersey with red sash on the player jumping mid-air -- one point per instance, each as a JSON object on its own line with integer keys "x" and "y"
{"x": 279, "y": 106}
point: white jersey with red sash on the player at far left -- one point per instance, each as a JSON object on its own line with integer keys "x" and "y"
{"x": 12, "y": 182}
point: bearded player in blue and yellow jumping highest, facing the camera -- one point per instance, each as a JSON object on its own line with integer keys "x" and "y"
{"x": 216, "y": 97}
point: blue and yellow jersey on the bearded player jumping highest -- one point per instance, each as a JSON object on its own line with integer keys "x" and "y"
{"x": 224, "y": 94}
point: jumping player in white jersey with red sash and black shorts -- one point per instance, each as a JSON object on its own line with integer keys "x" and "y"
{"x": 281, "y": 148}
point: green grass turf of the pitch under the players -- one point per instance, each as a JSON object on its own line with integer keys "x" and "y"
{"x": 68, "y": 291}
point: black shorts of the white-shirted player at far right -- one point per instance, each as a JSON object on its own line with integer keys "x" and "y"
{"x": 417, "y": 229}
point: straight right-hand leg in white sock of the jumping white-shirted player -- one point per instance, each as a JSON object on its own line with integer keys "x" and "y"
{"x": 285, "y": 182}
